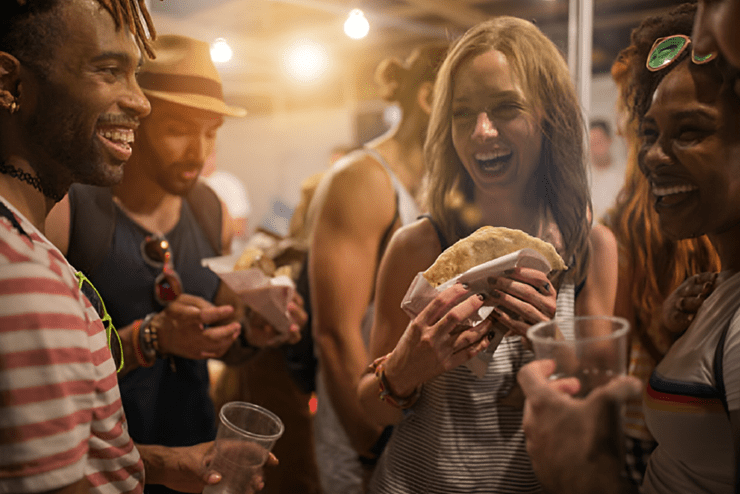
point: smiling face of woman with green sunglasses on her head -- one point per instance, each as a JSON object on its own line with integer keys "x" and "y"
{"x": 691, "y": 152}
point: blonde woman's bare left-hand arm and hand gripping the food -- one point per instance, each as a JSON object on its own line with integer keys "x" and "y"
{"x": 429, "y": 345}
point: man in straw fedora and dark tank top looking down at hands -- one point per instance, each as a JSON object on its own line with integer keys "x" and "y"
{"x": 141, "y": 244}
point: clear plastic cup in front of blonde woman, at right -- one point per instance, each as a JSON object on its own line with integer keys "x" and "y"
{"x": 591, "y": 348}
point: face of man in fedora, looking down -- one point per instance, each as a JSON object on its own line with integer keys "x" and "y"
{"x": 174, "y": 143}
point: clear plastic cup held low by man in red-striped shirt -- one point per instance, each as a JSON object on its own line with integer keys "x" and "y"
{"x": 246, "y": 434}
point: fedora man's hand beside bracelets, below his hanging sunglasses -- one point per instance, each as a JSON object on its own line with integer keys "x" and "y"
{"x": 189, "y": 327}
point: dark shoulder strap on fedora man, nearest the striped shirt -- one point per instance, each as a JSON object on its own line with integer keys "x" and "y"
{"x": 91, "y": 226}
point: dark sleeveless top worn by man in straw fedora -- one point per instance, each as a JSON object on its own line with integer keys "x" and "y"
{"x": 168, "y": 403}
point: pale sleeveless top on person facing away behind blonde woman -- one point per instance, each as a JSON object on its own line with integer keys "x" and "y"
{"x": 340, "y": 470}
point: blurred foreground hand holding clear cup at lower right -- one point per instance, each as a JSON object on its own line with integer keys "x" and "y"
{"x": 575, "y": 444}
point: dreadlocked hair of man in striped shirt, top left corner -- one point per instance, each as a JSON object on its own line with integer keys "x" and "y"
{"x": 29, "y": 29}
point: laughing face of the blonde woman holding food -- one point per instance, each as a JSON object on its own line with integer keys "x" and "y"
{"x": 494, "y": 133}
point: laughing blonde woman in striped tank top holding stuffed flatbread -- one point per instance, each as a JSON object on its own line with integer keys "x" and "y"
{"x": 504, "y": 148}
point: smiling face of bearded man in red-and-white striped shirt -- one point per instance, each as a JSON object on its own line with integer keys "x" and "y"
{"x": 83, "y": 111}
